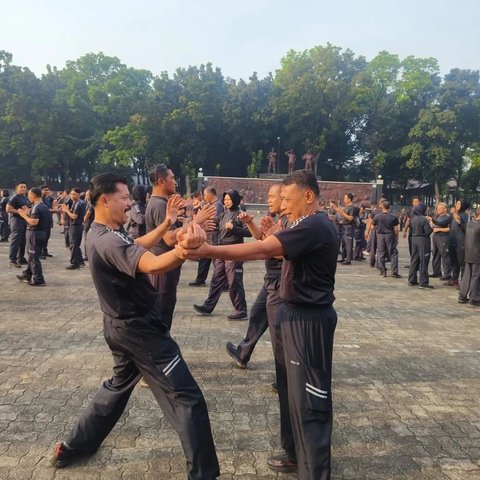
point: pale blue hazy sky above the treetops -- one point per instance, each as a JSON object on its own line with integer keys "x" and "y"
{"x": 239, "y": 37}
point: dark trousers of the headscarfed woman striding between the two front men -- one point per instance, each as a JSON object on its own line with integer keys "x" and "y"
{"x": 231, "y": 273}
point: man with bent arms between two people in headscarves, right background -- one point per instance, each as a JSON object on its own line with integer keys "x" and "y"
{"x": 441, "y": 265}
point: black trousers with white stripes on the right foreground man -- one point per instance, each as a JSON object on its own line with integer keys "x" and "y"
{"x": 306, "y": 340}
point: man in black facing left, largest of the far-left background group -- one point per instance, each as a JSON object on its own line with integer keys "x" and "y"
{"x": 38, "y": 223}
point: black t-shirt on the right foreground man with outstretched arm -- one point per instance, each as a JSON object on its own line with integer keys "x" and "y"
{"x": 308, "y": 271}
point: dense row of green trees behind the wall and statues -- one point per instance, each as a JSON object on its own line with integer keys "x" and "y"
{"x": 388, "y": 116}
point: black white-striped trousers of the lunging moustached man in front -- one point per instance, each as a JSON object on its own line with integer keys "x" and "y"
{"x": 143, "y": 346}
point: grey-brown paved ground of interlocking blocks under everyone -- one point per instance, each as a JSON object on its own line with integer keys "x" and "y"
{"x": 406, "y": 381}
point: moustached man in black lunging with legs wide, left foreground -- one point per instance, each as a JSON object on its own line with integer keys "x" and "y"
{"x": 139, "y": 340}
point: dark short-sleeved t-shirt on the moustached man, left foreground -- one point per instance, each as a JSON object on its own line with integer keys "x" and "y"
{"x": 113, "y": 258}
